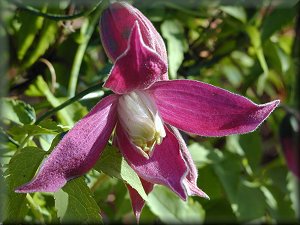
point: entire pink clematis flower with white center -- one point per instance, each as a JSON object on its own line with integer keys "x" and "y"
{"x": 145, "y": 113}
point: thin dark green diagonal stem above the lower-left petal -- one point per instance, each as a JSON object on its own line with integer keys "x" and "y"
{"x": 68, "y": 102}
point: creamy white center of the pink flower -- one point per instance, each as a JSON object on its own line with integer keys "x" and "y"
{"x": 139, "y": 117}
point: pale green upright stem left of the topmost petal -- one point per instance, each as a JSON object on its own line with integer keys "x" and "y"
{"x": 87, "y": 32}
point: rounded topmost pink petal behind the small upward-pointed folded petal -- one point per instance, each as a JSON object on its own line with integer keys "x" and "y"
{"x": 116, "y": 24}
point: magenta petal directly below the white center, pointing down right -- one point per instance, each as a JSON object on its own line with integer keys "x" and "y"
{"x": 166, "y": 165}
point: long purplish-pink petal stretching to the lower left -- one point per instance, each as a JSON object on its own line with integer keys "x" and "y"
{"x": 79, "y": 149}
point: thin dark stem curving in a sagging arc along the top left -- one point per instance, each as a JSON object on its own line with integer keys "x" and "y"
{"x": 51, "y": 16}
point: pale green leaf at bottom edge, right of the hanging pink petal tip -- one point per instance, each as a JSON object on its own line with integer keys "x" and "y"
{"x": 171, "y": 209}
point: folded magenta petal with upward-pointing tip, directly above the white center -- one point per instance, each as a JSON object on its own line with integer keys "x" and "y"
{"x": 137, "y": 68}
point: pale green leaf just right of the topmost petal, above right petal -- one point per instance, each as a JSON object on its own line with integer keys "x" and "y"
{"x": 173, "y": 32}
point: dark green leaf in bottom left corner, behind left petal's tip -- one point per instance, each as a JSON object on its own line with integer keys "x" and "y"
{"x": 21, "y": 169}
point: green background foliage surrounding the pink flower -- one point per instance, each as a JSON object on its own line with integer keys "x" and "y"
{"x": 51, "y": 54}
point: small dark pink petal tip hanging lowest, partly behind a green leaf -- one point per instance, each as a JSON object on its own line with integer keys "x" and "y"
{"x": 137, "y": 201}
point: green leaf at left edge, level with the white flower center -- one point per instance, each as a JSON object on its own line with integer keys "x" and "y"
{"x": 17, "y": 111}
